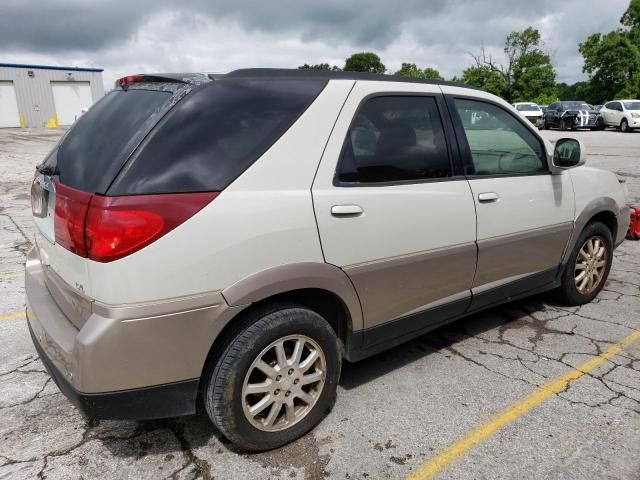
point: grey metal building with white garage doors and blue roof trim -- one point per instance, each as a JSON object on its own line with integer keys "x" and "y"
{"x": 46, "y": 96}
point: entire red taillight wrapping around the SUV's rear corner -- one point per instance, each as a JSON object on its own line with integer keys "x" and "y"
{"x": 108, "y": 228}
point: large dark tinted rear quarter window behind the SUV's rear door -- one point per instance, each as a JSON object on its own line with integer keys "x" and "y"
{"x": 215, "y": 134}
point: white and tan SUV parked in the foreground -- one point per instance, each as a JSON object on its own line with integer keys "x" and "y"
{"x": 233, "y": 238}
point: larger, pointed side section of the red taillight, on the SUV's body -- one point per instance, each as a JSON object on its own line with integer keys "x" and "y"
{"x": 119, "y": 226}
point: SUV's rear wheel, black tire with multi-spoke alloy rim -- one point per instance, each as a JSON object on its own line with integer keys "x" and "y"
{"x": 235, "y": 369}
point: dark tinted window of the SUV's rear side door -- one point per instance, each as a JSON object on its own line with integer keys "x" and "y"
{"x": 395, "y": 138}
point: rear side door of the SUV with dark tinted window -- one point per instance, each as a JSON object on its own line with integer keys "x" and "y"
{"x": 394, "y": 211}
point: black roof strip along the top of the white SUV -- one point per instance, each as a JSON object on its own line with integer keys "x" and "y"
{"x": 331, "y": 75}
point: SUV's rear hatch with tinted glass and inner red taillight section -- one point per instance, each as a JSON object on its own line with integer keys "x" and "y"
{"x": 85, "y": 162}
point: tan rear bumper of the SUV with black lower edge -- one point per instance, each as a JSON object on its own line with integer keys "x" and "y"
{"x": 127, "y": 361}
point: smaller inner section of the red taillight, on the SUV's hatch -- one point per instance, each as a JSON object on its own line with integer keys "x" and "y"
{"x": 70, "y": 213}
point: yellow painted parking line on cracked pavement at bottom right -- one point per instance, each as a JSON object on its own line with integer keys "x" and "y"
{"x": 484, "y": 431}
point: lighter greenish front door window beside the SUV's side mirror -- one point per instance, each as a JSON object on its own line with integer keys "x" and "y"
{"x": 499, "y": 144}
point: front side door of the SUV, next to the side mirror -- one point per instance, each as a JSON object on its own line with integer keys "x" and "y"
{"x": 525, "y": 214}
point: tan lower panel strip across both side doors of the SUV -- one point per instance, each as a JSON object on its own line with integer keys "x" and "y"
{"x": 393, "y": 288}
